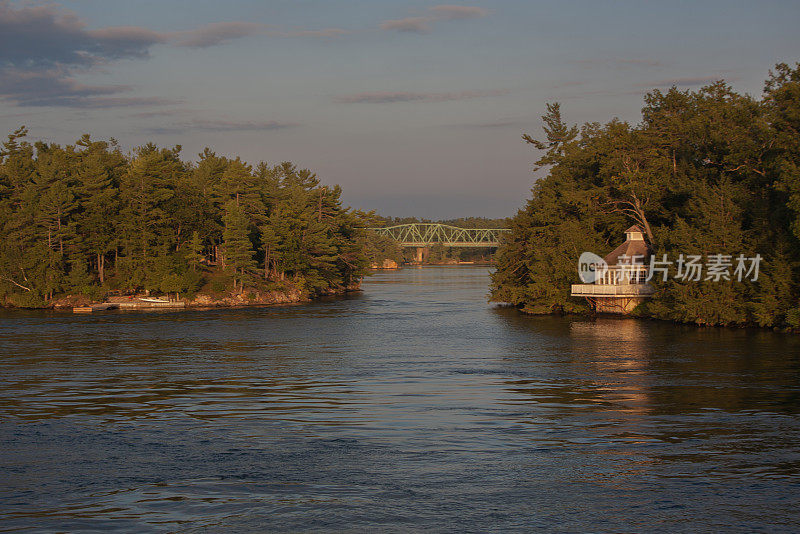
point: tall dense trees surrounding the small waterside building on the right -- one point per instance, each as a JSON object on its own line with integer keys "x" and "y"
{"x": 705, "y": 172}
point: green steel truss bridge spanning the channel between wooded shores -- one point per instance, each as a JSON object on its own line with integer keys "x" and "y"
{"x": 427, "y": 234}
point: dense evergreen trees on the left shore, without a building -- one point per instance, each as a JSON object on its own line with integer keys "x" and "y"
{"x": 86, "y": 218}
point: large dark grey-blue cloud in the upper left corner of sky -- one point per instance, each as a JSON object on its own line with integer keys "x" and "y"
{"x": 43, "y": 48}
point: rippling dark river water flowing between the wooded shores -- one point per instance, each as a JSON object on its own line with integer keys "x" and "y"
{"x": 410, "y": 406}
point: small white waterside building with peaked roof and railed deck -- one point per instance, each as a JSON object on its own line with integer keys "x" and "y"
{"x": 622, "y": 284}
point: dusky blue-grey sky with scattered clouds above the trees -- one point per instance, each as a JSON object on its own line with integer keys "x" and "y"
{"x": 415, "y": 108}
